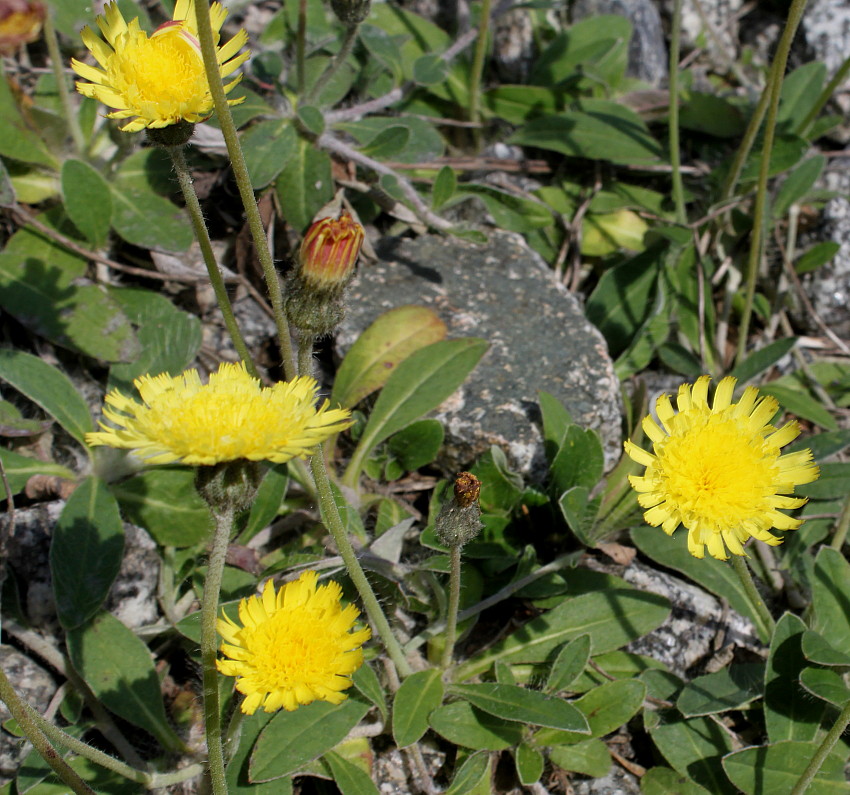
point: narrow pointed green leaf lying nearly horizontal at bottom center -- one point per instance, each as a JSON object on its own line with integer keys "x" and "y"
{"x": 512, "y": 702}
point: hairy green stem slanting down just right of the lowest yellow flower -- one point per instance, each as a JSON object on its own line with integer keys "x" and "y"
{"x": 333, "y": 521}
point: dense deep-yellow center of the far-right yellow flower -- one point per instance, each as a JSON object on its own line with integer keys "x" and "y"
{"x": 717, "y": 471}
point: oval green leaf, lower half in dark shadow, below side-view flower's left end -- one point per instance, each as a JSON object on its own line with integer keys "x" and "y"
{"x": 86, "y": 552}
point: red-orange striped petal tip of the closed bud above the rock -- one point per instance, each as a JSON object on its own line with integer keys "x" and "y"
{"x": 329, "y": 251}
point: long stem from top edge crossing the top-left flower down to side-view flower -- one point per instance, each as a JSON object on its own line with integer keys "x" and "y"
{"x": 246, "y": 190}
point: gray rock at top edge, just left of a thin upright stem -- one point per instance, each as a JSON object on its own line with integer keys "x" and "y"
{"x": 647, "y": 52}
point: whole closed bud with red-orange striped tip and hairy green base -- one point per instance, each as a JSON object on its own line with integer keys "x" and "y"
{"x": 328, "y": 255}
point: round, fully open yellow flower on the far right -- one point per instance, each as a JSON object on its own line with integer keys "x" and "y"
{"x": 718, "y": 470}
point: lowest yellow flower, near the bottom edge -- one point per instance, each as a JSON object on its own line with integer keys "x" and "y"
{"x": 294, "y": 647}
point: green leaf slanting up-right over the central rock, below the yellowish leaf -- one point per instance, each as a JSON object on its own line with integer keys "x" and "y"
{"x": 418, "y": 385}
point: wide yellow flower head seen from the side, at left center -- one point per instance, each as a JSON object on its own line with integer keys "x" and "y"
{"x": 232, "y": 417}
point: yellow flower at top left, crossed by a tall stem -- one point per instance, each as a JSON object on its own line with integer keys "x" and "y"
{"x": 158, "y": 80}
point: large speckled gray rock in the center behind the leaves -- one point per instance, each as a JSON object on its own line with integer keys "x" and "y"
{"x": 539, "y": 340}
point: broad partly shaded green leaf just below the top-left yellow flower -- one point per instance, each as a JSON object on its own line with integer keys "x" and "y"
{"x": 140, "y": 214}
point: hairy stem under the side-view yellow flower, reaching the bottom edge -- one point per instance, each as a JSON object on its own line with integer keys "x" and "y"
{"x": 209, "y": 613}
